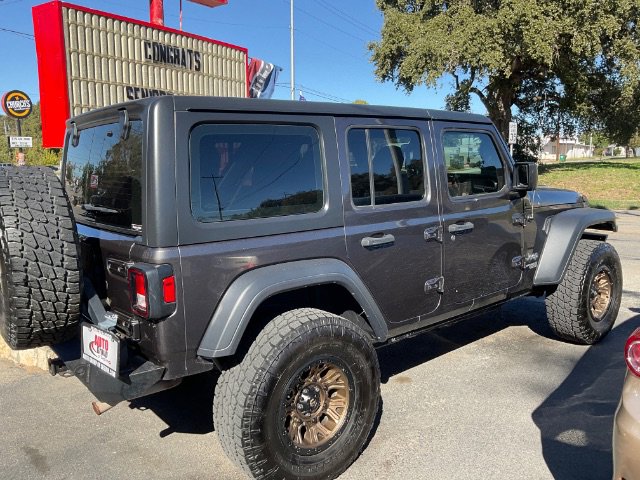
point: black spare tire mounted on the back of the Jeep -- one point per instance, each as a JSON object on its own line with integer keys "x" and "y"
{"x": 39, "y": 273}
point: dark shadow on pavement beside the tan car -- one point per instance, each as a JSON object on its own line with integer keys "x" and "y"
{"x": 576, "y": 420}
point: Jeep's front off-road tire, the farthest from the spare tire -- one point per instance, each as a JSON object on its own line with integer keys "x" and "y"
{"x": 569, "y": 308}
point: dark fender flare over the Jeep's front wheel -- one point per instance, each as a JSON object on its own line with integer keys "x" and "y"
{"x": 564, "y": 231}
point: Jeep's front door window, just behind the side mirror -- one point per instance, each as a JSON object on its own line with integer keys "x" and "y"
{"x": 473, "y": 164}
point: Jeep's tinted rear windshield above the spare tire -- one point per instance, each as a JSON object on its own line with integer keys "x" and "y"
{"x": 102, "y": 176}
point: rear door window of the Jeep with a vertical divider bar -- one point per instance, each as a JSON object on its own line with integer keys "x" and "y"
{"x": 386, "y": 162}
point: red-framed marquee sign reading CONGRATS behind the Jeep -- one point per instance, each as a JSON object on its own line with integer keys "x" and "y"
{"x": 89, "y": 59}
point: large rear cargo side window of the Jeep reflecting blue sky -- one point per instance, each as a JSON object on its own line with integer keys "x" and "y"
{"x": 244, "y": 171}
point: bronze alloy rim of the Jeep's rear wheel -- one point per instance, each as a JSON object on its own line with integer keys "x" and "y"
{"x": 317, "y": 405}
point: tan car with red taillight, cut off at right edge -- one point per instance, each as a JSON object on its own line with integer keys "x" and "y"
{"x": 626, "y": 426}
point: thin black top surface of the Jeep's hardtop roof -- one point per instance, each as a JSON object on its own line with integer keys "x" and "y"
{"x": 226, "y": 104}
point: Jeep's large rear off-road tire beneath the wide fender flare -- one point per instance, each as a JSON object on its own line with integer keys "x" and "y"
{"x": 252, "y": 399}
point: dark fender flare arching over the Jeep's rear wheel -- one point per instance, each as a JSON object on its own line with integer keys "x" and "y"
{"x": 249, "y": 290}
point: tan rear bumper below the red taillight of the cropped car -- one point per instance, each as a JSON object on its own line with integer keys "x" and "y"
{"x": 626, "y": 432}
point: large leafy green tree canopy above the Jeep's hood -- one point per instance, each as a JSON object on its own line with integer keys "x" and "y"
{"x": 545, "y": 57}
